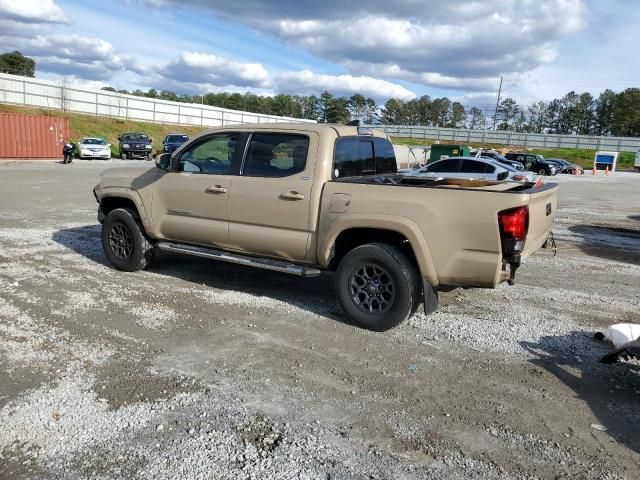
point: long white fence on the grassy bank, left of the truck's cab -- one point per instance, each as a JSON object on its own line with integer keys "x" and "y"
{"x": 56, "y": 95}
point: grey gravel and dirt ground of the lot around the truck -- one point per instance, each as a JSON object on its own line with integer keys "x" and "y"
{"x": 196, "y": 369}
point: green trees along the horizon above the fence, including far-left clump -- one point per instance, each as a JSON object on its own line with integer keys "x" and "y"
{"x": 610, "y": 113}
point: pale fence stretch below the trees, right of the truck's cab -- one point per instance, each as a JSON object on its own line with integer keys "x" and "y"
{"x": 527, "y": 140}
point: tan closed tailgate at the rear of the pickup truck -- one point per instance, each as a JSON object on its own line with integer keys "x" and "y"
{"x": 543, "y": 205}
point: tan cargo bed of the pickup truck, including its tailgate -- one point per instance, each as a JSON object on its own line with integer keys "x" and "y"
{"x": 456, "y": 220}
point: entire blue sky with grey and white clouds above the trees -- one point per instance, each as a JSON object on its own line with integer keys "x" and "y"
{"x": 378, "y": 48}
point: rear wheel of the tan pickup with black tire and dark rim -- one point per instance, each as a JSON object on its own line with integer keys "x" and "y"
{"x": 385, "y": 270}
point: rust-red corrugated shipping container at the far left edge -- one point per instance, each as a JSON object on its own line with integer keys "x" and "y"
{"x": 32, "y": 136}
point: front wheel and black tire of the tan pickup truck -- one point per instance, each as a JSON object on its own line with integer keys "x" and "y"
{"x": 125, "y": 242}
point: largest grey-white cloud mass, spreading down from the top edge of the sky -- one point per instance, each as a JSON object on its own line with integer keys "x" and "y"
{"x": 443, "y": 43}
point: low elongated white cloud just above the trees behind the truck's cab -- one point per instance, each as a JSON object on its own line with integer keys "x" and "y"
{"x": 306, "y": 82}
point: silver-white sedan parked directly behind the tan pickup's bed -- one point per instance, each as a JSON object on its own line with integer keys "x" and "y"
{"x": 471, "y": 168}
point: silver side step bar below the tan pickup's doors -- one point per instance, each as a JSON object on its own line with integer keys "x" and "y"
{"x": 267, "y": 264}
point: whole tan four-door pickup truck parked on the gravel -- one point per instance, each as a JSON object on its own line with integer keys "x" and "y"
{"x": 303, "y": 198}
